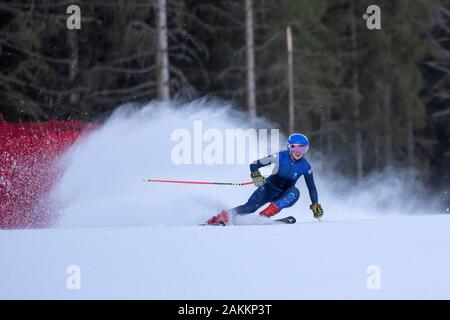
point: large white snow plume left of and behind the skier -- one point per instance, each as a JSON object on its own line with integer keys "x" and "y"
{"x": 102, "y": 184}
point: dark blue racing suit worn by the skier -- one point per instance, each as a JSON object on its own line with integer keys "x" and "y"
{"x": 280, "y": 186}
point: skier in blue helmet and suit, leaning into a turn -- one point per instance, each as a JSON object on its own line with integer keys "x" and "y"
{"x": 279, "y": 188}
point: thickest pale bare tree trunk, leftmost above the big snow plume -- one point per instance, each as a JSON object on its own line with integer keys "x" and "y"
{"x": 162, "y": 57}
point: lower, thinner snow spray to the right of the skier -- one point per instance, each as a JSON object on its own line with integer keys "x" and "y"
{"x": 390, "y": 192}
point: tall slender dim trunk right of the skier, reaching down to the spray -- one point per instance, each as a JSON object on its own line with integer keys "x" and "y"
{"x": 356, "y": 103}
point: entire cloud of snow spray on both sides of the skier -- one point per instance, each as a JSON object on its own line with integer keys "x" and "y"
{"x": 102, "y": 184}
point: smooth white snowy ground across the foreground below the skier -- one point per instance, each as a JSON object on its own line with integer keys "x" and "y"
{"x": 326, "y": 260}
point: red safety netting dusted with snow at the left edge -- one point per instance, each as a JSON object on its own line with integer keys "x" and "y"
{"x": 27, "y": 169}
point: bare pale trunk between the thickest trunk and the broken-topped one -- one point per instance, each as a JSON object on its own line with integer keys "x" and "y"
{"x": 250, "y": 50}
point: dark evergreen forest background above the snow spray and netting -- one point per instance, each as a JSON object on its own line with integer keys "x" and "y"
{"x": 370, "y": 98}
